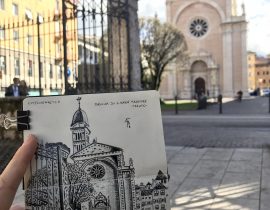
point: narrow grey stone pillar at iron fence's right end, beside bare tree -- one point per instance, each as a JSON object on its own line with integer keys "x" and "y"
{"x": 134, "y": 46}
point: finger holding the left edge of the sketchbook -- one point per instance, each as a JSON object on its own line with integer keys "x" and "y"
{"x": 14, "y": 172}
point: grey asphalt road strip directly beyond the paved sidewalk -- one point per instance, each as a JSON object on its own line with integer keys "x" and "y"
{"x": 217, "y": 131}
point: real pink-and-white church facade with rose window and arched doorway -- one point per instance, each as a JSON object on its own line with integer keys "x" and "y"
{"x": 217, "y": 57}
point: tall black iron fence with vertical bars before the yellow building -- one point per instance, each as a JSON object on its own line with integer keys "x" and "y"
{"x": 80, "y": 47}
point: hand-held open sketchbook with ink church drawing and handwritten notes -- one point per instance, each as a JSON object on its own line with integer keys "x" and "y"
{"x": 100, "y": 151}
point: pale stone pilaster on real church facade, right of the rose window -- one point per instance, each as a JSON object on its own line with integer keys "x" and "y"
{"x": 227, "y": 83}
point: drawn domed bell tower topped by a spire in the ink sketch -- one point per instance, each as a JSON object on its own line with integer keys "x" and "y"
{"x": 80, "y": 129}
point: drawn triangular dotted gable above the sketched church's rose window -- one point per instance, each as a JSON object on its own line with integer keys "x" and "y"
{"x": 96, "y": 148}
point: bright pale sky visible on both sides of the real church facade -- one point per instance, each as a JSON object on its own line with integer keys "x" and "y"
{"x": 258, "y": 17}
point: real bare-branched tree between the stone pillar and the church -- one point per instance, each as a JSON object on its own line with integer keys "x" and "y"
{"x": 161, "y": 44}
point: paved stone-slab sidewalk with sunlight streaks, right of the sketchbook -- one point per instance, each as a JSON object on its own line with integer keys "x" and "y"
{"x": 221, "y": 179}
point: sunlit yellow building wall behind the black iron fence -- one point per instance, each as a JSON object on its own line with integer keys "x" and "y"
{"x": 26, "y": 47}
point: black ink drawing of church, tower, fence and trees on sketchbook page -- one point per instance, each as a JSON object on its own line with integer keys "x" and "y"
{"x": 94, "y": 176}
